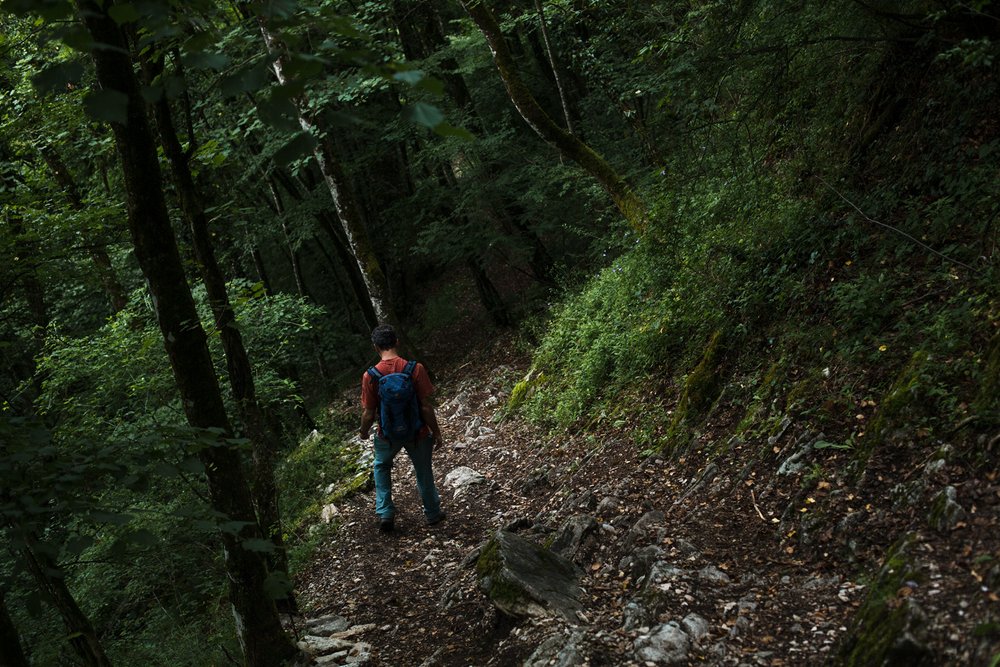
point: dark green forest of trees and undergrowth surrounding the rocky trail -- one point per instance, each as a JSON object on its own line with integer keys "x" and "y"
{"x": 785, "y": 205}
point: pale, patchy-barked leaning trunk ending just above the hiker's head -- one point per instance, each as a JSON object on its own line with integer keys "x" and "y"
{"x": 344, "y": 200}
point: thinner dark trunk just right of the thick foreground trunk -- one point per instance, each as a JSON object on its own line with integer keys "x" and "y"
{"x": 264, "y": 443}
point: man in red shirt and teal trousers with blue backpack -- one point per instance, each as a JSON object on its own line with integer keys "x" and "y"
{"x": 398, "y": 392}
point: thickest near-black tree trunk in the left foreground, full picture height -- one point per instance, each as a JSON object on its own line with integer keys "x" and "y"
{"x": 257, "y": 624}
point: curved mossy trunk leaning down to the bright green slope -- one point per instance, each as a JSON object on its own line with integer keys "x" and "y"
{"x": 590, "y": 161}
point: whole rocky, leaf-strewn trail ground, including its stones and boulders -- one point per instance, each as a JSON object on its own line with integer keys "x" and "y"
{"x": 723, "y": 556}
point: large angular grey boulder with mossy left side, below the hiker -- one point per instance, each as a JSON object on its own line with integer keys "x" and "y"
{"x": 524, "y": 579}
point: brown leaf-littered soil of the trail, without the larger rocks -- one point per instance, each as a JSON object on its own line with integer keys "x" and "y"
{"x": 800, "y": 550}
